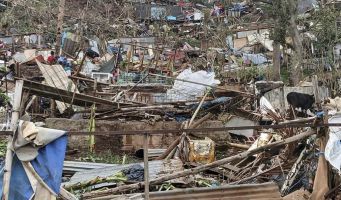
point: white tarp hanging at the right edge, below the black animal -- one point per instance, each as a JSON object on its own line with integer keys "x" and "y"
{"x": 333, "y": 148}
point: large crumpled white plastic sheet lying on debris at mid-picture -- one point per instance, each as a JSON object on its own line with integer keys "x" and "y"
{"x": 182, "y": 91}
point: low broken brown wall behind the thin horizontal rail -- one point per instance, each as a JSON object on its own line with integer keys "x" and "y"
{"x": 129, "y": 142}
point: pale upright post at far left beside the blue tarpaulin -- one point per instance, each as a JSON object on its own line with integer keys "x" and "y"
{"x": 9, "y": 154}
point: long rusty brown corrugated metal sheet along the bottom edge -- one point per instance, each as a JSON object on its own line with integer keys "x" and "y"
{"x": 264, "y": 191}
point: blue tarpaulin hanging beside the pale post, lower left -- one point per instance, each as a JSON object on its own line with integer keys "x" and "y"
{"x": 48, "y": 164}
